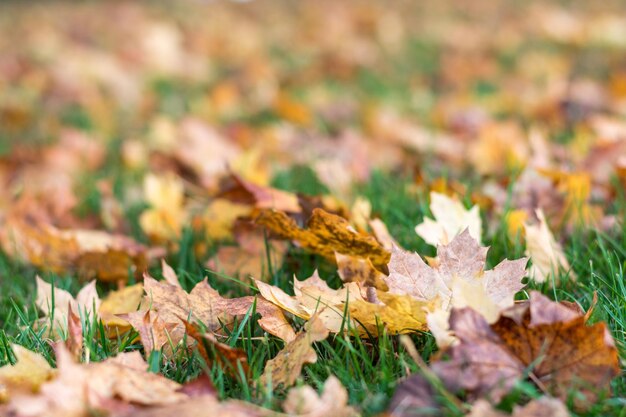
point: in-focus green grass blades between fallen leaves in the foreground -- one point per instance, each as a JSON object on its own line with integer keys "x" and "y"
{"x": 370, "y": 368}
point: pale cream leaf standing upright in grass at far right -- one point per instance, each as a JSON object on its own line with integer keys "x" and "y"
{"x": 545, "y": 252}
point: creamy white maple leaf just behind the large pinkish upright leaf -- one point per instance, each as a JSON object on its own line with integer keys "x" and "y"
{"x": 451, "y": 218}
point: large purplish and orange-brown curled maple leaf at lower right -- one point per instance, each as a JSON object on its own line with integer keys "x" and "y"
{"x": 548, "y": 340}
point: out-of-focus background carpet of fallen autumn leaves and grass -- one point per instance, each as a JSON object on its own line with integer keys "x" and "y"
{"x": 277, "y": 91}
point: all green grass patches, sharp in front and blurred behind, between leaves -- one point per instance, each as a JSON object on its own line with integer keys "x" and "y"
{"x": 408, "y": 80}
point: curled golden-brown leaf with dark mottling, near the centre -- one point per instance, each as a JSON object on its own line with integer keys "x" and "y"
{"x": 325, "y": 235}
